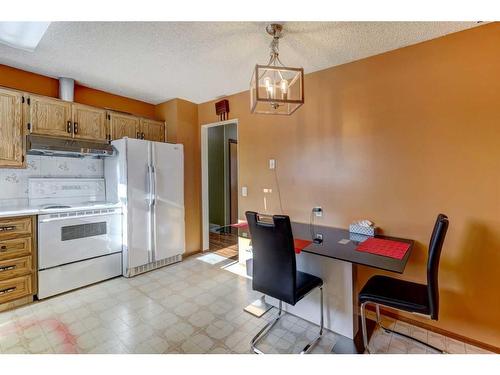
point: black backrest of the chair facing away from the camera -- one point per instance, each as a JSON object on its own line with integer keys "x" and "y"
{"x": 274, "y": 266}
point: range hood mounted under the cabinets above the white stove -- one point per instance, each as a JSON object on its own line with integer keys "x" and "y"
{"x": 48, "y": 146}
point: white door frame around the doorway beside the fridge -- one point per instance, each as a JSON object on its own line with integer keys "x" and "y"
{"x": 205, "y": 243}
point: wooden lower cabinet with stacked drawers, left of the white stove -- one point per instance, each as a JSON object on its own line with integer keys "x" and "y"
{"x": 18, "y": 263}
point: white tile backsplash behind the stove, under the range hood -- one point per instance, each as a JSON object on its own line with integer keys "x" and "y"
{"x": 14, "y": 182}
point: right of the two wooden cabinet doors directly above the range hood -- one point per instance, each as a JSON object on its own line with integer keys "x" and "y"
{"x": 89, "y": 122}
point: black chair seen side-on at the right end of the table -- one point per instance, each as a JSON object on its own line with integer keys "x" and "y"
{"x": 404, "y": 295}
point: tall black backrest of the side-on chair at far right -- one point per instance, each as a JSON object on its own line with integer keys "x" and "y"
{"x": 435, "y": 246}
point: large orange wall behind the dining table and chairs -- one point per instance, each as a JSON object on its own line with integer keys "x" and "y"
{"x": 397, "y": 138}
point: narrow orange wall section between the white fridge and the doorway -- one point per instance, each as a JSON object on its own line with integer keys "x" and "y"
{"x": 181, "y": 117}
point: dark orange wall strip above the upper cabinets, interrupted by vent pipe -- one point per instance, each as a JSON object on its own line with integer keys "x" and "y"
{"x": 42, "y": 85}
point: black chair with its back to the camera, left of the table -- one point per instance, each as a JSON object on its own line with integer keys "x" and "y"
{"x": 275, "y": 270}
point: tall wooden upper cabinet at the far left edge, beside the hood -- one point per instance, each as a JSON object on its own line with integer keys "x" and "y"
{"x": 11, "y": 129}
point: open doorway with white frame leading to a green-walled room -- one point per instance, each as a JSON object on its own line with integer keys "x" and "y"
{"x": 219, "y": 152}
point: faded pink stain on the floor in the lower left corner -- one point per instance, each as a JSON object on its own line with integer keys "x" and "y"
{"x": 68, "y": 344}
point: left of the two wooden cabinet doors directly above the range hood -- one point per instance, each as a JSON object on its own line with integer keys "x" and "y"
{"x": 50, "y": 116}
